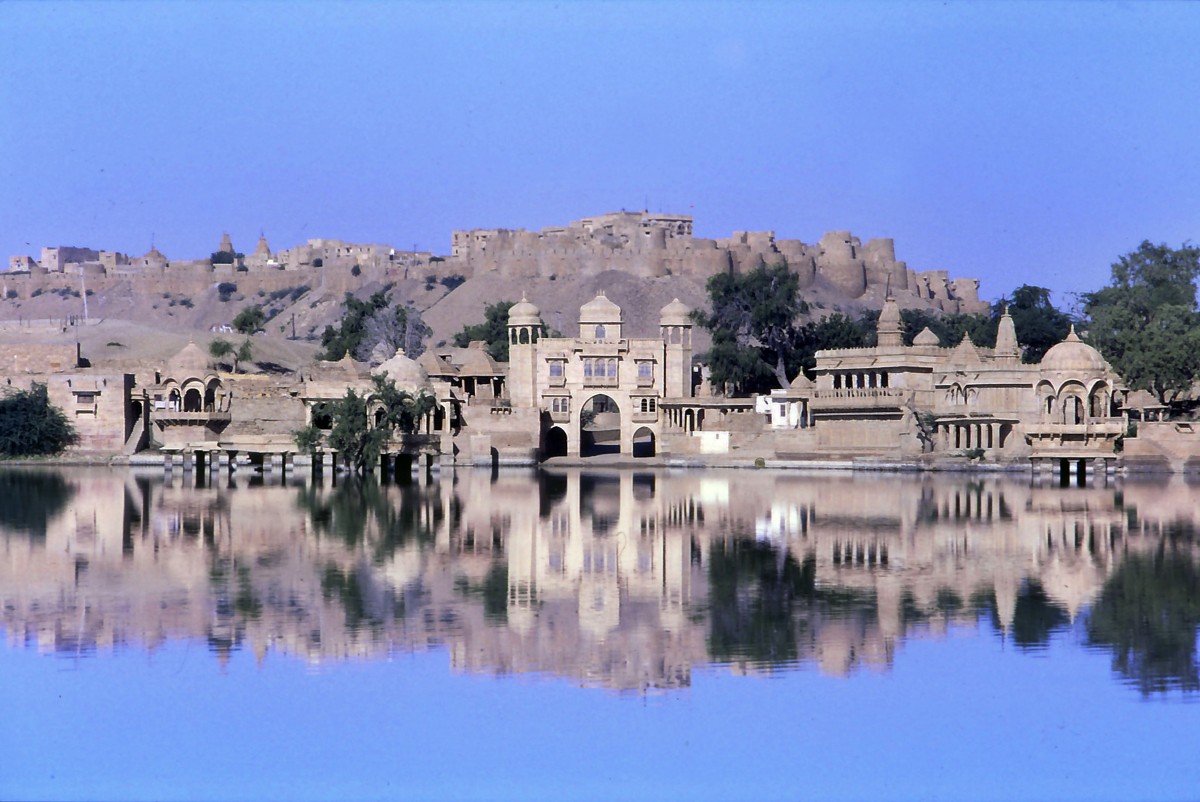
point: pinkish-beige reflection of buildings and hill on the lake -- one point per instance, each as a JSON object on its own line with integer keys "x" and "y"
{"x": 622, "y": 579}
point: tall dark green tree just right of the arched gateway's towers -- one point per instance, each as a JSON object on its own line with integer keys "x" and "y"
{"x": 753, "y": 325}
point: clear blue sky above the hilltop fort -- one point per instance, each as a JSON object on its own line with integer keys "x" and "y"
{"x": 1012, "y": 142}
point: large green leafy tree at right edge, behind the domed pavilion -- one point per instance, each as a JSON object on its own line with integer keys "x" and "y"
{"x": 1147, "y": 324}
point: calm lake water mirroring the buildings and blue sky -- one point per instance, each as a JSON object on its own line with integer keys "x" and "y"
{"x": 598, "y": 636}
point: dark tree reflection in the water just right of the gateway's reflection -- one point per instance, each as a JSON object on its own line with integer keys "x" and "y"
{"x": 758, "y": 600}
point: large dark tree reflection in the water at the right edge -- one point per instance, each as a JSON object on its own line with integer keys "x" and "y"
{"x": 1148, "y": 614}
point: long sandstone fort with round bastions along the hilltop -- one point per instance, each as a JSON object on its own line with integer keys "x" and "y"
{"x": 638, "y": 243}
